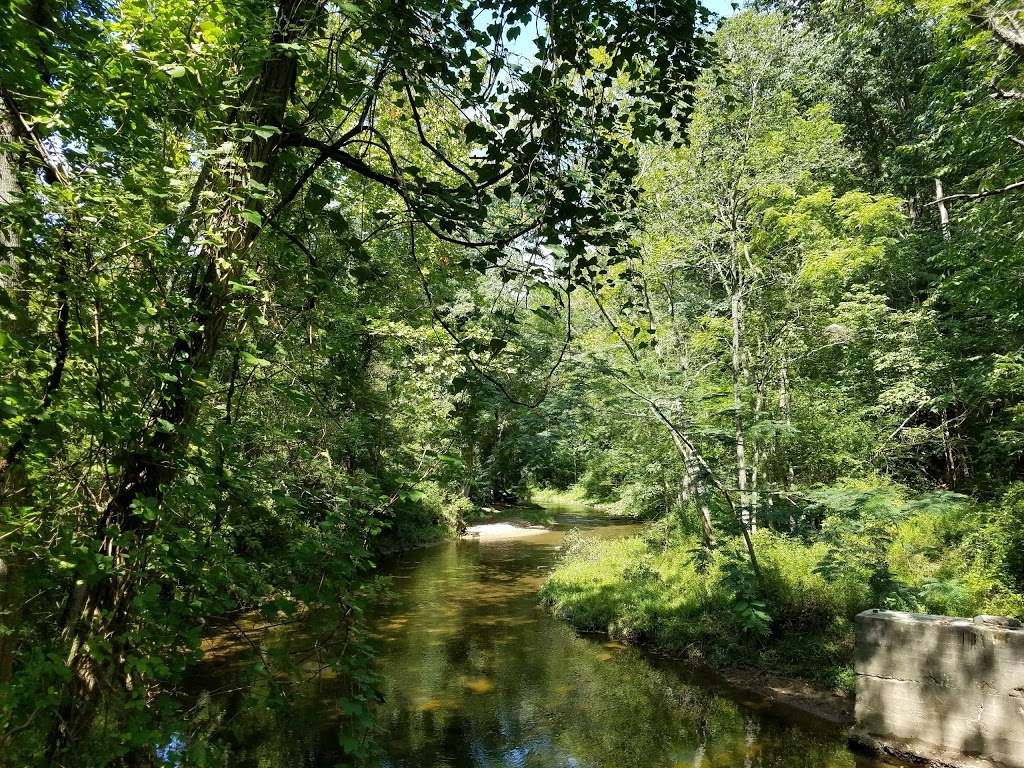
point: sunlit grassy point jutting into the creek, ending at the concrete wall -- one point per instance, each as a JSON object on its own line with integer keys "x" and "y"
{"x": 650, "y": 591}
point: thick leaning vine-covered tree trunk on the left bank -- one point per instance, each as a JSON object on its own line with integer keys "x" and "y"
{"x": 123, "y": 530}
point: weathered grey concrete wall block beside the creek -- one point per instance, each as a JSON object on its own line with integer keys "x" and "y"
{"x": 951, "y": 691}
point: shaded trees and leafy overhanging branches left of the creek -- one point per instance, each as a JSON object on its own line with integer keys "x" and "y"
{"x": 272, "y": 304}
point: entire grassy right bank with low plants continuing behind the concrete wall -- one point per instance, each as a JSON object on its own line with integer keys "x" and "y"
{"x": 923, "y": 556}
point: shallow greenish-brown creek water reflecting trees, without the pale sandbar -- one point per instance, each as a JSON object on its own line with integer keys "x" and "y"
{"x": 477, "y": 674}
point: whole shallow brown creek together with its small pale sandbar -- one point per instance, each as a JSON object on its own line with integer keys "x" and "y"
{"x": 462, "y": 649}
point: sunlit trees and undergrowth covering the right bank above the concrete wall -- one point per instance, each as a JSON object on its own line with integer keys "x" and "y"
{"x": 822, "y": 346}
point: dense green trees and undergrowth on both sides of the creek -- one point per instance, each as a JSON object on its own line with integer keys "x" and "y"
{"x": 286, "y": 287}
